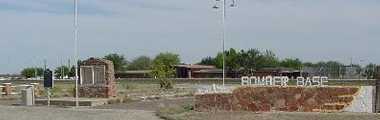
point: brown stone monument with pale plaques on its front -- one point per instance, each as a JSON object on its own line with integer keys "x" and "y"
{"x": 97, "y": 78}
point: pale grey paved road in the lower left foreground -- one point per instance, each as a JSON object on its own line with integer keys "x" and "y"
{"x": 44, "y": 113}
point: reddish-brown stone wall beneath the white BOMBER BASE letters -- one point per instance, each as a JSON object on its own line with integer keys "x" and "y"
{"x": 290, "y": 99}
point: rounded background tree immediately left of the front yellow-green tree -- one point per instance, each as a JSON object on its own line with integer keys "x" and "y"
{"x": 140, "y": 63}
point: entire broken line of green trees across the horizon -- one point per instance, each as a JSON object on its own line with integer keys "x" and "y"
{"x": 246, "y": 61}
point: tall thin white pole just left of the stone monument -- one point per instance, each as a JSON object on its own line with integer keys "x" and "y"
{"x": 76, "y": 51}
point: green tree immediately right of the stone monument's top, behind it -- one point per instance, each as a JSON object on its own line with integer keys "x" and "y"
{"x": 119, "y": 61}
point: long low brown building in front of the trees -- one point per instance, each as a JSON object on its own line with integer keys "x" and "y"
{"x": 208, "y": 71}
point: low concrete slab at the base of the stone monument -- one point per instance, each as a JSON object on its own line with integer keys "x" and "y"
{"x": 71, "y": 101}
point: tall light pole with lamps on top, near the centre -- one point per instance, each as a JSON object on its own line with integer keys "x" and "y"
{"x": 224, "y": 28}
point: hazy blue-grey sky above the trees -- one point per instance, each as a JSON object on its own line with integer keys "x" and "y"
{"x": 32, "y": 31}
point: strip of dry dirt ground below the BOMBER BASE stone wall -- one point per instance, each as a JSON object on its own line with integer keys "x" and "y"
{"x": 274, "y": 116}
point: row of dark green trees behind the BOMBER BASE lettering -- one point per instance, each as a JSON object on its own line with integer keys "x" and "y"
{"x": 248, "y": 61}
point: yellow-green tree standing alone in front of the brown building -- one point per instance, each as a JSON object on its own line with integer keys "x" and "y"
{"x": 163, "y": 69}
